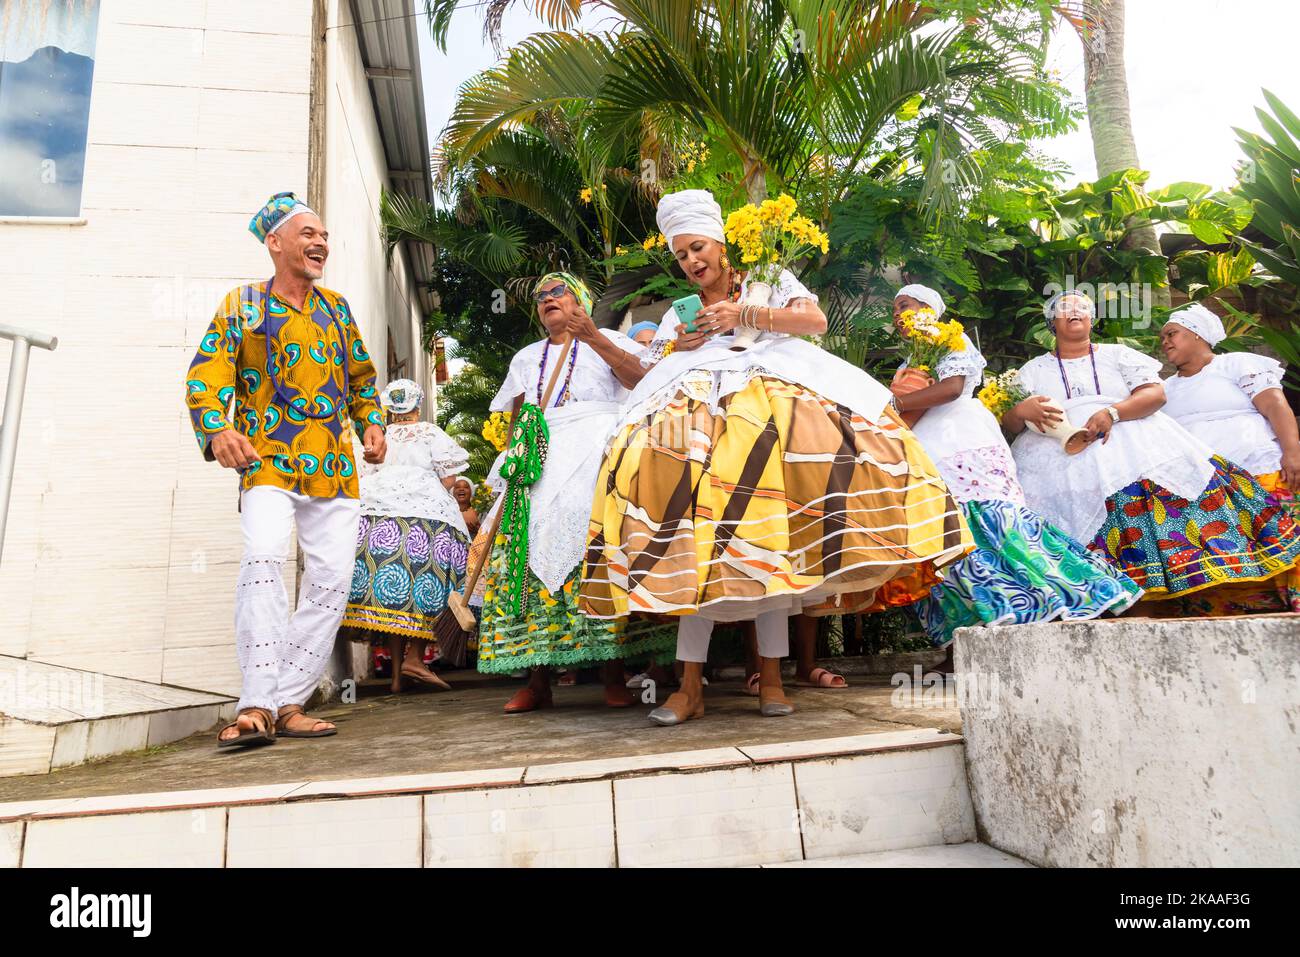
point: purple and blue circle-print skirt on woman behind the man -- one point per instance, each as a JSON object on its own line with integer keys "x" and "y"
{"x": 404, "y": 574}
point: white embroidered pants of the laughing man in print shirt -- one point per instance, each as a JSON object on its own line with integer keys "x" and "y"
{"x": 283, "y": 656}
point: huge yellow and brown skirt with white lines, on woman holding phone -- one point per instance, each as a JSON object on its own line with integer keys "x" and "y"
{"x": 779, "y": 499}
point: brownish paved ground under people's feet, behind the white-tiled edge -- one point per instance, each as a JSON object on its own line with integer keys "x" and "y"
{"x": 465, "y": 729}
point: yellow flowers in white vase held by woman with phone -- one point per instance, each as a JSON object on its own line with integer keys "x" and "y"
{"x": 769, "y": 237}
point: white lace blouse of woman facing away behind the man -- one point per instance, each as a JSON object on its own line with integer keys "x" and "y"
{"x": 409, "y": 483}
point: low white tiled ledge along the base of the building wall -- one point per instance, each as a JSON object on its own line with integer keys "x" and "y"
{"x": 54, "y": 717}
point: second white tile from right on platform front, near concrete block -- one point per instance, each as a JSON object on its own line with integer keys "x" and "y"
{"x": 727, "y": 819}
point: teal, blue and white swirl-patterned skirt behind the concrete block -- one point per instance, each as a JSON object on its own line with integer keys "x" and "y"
{"x": 1024, "y": 570}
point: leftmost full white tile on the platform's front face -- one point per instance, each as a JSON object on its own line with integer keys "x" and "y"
{"x": 161, "y": 839}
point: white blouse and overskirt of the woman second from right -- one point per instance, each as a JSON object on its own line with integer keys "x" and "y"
{"x": 1072, "y": 491}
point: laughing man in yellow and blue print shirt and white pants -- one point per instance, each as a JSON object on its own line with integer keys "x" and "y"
{"x": 291, "y": 357}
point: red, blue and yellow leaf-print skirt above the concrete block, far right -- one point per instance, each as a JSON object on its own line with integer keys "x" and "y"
{"x": 1234, "y": 532}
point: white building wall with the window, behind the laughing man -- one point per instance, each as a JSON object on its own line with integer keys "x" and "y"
{"x": 123, "y": 544}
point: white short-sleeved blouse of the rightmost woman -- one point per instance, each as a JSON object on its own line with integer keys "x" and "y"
{"x": 1217, "y": 406}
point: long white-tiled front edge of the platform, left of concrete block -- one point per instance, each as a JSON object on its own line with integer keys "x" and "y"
{"x": 725, "y": 807}
